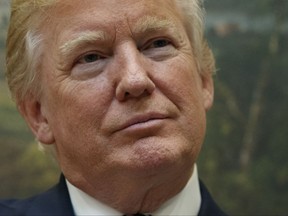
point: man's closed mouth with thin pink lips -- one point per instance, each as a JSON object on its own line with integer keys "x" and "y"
{"x": 144, "y": 121}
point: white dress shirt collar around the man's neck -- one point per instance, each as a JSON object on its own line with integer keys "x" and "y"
{"x": 187, "y": 202}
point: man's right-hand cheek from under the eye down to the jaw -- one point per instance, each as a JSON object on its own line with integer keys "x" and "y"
{"x": 182, "y": 85}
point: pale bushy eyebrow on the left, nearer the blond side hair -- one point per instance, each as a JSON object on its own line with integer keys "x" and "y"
{"x": 83, "y": 38}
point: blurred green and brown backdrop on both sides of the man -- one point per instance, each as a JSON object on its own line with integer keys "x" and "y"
{"x": 244, "y": 160}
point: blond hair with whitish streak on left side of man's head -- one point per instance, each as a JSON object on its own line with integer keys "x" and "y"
{"x": 24, "y": 47}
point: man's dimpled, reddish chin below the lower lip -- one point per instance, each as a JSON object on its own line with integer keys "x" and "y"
{"x": 161, "y": 156}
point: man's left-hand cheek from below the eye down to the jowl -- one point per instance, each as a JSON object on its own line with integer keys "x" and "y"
{"x": 77, "y": 131}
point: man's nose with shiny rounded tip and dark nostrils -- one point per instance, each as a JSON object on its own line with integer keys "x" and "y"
{"x": 134, "y": 81}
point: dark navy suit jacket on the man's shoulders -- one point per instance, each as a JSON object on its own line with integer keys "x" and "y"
{"x": 56, "y": 201}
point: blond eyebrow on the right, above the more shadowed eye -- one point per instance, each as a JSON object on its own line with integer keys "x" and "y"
{"x": 152, "y": 23}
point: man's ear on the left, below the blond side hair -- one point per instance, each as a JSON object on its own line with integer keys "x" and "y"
{"x": 31, "y": 110}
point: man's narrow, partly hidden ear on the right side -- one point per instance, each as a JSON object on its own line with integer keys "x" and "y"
{"x": 207, "y": 90}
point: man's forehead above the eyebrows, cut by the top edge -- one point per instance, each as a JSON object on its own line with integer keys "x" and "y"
{"x": 109, "y": 12}
